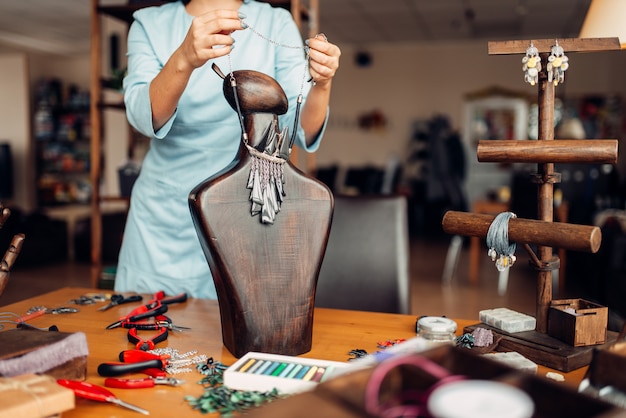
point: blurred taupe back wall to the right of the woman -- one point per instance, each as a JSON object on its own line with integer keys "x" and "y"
{"x": 408, "y": 82}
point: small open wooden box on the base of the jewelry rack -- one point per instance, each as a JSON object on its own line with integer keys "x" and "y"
{"x": 578, "y": 322}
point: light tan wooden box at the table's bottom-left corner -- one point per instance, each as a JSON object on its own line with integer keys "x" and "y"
{"x": 33, "y": 396}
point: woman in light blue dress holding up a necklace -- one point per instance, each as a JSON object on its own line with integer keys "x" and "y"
{"x": 174, "y": 97}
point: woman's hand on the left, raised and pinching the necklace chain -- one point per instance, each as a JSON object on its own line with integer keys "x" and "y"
{"x": 209, "y": 37}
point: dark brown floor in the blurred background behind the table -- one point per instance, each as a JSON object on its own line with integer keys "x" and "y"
{"x": 458, "y": 299}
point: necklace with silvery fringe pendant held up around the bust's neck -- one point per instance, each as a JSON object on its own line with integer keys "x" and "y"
{"x": 266, "y": 178}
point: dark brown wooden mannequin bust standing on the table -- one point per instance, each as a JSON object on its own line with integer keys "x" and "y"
{"x": 265, "y": 274}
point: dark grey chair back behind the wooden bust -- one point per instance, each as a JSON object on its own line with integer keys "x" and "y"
{"x": 366, "y": 264}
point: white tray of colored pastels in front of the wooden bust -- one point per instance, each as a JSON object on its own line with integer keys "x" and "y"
{"x": 288, "y": 374}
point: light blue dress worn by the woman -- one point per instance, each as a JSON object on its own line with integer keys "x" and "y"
{"x": 160, "y": 249}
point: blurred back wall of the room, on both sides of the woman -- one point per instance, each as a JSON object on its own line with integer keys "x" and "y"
{"x": 405, "y": 82}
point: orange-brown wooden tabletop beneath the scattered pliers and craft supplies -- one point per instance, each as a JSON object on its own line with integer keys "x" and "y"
{"x": 335, "y": 333}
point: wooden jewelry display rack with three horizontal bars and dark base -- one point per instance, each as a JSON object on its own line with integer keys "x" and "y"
{"x": 543, "y": 232}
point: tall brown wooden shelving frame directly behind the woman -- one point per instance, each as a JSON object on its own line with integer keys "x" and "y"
{"x": 304, "y": 13}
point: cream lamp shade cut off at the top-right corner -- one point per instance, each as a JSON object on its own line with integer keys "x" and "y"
{"x": 605, "y": 19}
